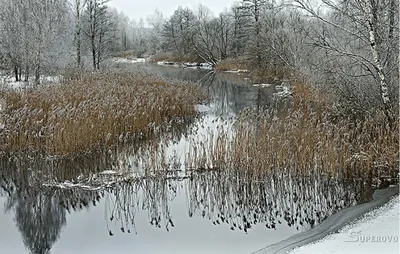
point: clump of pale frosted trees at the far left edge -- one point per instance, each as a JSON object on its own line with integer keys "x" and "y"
{"x": 33, "y": 35}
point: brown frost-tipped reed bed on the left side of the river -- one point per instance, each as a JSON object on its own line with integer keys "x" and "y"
{"x": 88, "y": 111}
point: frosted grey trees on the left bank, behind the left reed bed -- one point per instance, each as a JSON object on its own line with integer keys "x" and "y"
{"x": 43, "y": 36}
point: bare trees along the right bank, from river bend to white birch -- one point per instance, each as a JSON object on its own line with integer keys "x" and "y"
{"x": 351, "y": 47}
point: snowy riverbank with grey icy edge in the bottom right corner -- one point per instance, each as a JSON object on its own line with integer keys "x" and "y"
{"x": 336, "y": 222}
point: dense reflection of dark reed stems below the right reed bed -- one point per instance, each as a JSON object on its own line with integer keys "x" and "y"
{"x": 242, "y": 201}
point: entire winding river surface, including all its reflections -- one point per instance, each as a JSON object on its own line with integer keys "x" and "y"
{"x": 150, "y": 198}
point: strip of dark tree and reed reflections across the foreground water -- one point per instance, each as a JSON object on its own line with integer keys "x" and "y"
{"x": 222, "y": 197}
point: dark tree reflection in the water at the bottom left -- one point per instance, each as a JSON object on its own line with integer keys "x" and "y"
{"x": 40, "y": 212}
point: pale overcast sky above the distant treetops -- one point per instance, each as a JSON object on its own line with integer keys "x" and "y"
{"x": 136, "y": 9}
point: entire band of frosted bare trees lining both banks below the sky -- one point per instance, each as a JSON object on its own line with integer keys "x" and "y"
{"x": 349, "y": 46}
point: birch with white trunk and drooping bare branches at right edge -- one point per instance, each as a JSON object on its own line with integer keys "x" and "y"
{"x": 349, "y": 28}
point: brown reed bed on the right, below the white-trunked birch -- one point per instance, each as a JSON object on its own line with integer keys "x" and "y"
{"x": 307, "y": 138}
